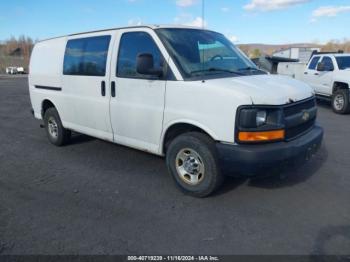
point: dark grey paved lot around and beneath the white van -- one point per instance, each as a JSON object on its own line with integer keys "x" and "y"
{"x": 94, "y": 197}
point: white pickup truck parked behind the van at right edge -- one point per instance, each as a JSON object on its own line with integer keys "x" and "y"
{"x": 329, "y": 75}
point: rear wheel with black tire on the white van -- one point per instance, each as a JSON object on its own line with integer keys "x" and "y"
{"x": 52, "y": 121}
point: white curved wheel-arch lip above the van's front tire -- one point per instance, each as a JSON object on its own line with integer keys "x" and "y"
{"x": 175, "y": 129}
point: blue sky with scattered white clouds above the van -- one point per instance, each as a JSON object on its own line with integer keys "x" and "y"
{"x": 243, "y": 21}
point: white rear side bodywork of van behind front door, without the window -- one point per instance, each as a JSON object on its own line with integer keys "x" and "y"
{"x": 75, "y": 97}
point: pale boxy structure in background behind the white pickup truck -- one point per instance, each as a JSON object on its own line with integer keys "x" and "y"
{"x": 302, "y": 54}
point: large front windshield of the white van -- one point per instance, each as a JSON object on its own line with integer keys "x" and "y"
{"x": 205, "y": 54}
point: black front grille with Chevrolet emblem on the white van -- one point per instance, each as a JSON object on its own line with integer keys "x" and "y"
{"x": 296, "y": 125}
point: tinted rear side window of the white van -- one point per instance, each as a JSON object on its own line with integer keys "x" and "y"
{"x": 86, "y": 56}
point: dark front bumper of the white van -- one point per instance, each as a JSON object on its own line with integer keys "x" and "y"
{"x": 251, "y": 160}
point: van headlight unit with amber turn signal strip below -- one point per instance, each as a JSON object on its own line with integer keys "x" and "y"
{"x": 259, "y": 124}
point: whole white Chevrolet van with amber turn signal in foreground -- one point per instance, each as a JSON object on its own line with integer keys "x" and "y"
{"x": 184, "y": 93}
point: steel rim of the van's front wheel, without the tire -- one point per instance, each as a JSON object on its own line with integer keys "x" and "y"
{"x": 189, "y": 166}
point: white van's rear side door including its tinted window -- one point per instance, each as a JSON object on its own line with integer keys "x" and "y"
{"x": 85, "y": 82}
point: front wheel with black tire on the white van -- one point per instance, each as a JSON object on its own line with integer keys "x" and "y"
{"x": 204, "y": 149}
